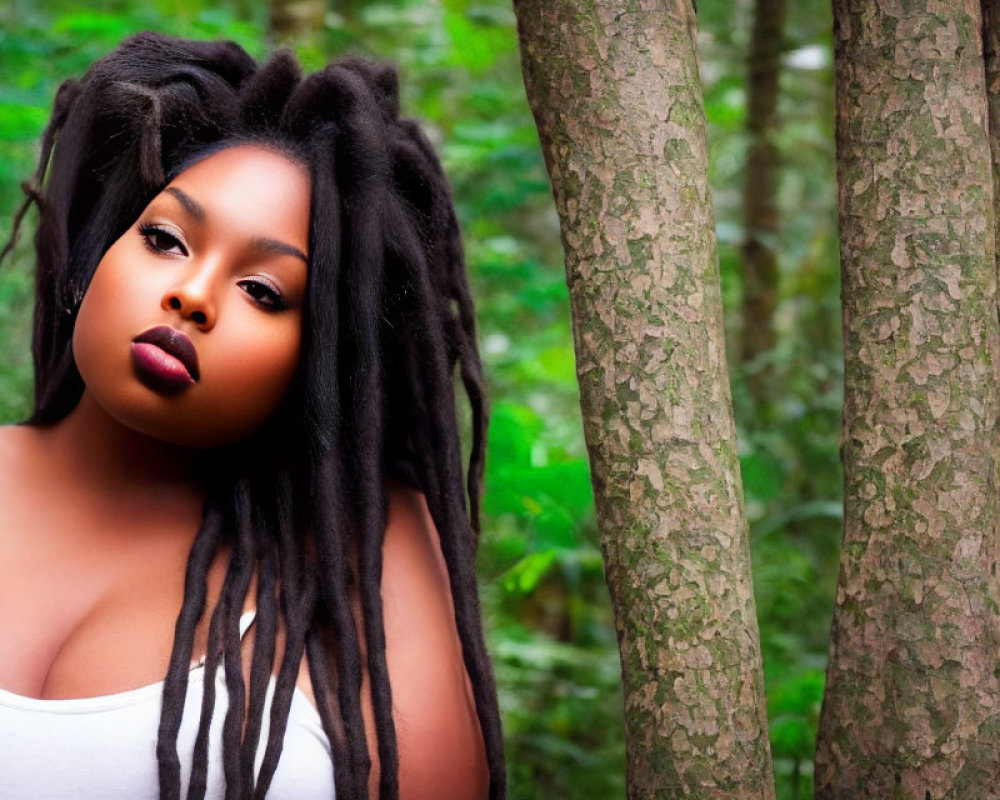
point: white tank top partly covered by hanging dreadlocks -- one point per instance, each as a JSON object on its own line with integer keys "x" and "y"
{"x": 104, "y": 748}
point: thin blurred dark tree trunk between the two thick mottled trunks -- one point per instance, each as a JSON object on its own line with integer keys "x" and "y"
{"x": 760, "y": 202}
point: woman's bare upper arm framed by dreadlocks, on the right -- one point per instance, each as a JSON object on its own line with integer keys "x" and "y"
{"x": 432, "y": 698}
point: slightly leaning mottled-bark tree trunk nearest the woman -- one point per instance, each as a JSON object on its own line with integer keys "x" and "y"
{"x": 615, "y": 92}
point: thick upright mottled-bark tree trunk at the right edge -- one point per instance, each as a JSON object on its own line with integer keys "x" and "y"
{"x": 912, "y": 706}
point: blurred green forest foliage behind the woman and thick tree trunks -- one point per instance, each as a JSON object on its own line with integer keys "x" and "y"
{"x": 550, "y": 624}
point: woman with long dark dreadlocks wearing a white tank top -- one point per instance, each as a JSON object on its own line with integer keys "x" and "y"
{"x": 242, "y": 471}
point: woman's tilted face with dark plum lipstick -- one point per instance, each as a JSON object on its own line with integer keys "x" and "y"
{"x": 191, "y": 327}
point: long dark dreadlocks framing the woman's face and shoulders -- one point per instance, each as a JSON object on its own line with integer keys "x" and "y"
{"x": 388, "y": 320}
